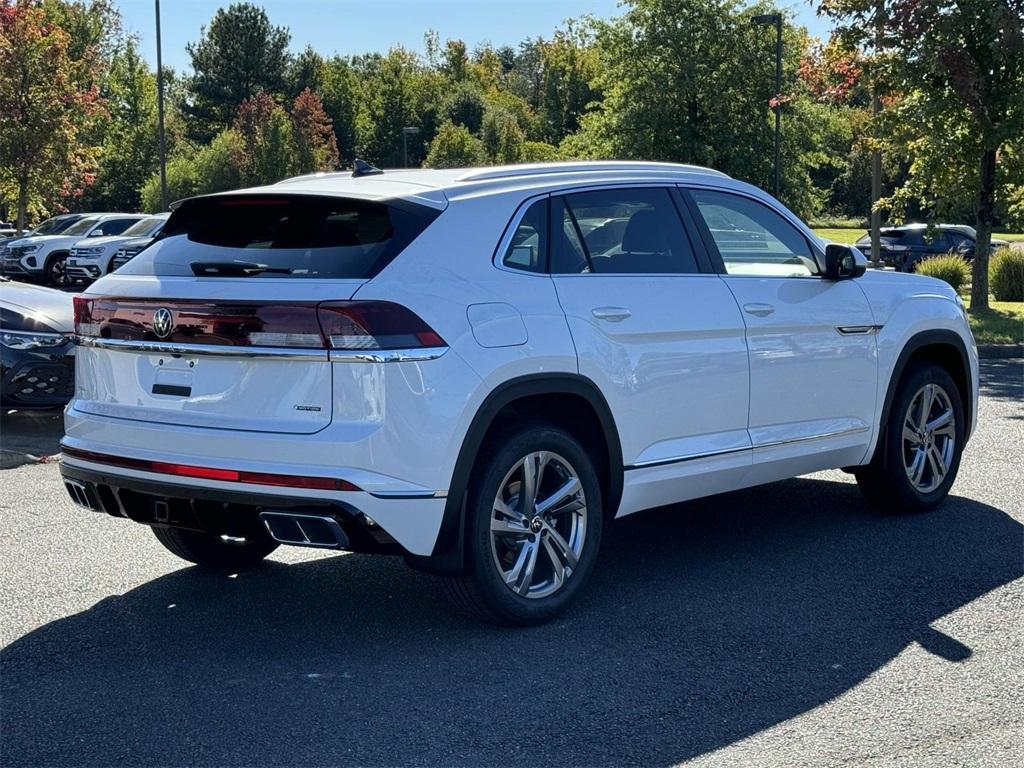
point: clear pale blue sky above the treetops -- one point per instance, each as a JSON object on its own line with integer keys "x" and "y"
{"x": 350, "y": 27}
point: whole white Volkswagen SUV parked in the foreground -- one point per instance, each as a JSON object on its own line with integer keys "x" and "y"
{"x": 480, "y": 369}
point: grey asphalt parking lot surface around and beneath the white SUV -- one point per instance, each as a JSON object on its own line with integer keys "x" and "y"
{"x": 788, "y": 625}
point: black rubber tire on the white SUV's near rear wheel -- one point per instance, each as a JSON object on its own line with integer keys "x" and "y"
{"x": 482, "y": 591}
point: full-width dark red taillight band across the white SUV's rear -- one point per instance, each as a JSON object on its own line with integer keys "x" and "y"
{"x": 338, "y": 325}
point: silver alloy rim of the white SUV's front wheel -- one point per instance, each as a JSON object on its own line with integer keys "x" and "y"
{"x": 929, "y": 438}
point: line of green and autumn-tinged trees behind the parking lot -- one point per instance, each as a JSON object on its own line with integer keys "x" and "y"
{"x": 689, "y": 81}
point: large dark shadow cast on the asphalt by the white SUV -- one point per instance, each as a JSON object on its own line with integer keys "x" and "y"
{"x": 705, "y": 623}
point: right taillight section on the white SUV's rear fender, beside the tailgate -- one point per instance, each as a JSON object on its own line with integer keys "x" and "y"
{"x": 375, "y": 325}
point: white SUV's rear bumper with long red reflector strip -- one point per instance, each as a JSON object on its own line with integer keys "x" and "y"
{"x": 396, "y": 525}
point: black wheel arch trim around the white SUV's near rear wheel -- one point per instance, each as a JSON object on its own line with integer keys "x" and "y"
{"x": 536, "y": 395}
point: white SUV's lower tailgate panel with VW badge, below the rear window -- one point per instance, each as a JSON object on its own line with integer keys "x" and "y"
{"x": 207, "y": 372}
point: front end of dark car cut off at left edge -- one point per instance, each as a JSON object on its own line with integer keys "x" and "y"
{"x": 37, "y": 355}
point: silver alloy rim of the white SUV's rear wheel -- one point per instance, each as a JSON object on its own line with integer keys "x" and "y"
{"x": 539, "y": 525}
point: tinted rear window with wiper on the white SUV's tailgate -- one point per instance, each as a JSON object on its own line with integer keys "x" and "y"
{"x": 294, "y": 236}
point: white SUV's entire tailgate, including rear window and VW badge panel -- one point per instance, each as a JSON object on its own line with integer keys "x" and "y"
{"x": 220, "y": 323}
